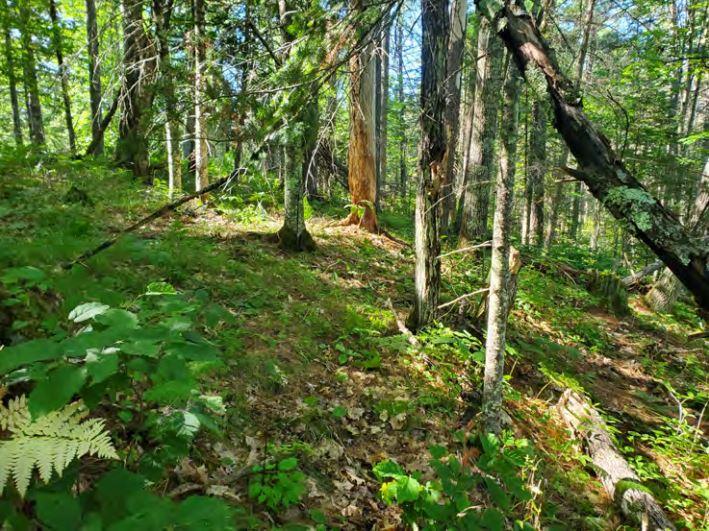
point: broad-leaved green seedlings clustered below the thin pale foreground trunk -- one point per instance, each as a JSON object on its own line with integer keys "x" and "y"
{"x": 447, "y": 502}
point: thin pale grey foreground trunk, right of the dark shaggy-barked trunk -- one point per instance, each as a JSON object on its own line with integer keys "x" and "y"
{"x": 498, "y": 300}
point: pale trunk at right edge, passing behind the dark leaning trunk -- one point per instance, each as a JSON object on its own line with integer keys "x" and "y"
{"x": 667, "y": 289}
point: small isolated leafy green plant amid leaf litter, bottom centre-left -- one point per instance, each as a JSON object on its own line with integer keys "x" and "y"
{"x": 278, "y": 484}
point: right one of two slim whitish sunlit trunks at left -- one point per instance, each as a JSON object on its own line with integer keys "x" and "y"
{"x": 201, "y": 152}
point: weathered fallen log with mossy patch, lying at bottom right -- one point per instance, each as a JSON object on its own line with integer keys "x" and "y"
{"x": 618, "y": 479}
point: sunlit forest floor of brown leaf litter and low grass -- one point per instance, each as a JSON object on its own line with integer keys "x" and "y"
{"x": 314, "y": 365}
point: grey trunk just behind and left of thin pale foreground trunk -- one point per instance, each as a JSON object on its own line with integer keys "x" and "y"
{"x": 476, "y": 194}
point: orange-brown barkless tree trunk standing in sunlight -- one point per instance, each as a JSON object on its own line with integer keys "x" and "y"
{"x": 362, "y": 171}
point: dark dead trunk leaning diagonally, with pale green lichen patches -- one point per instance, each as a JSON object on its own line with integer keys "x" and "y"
{"x": 605, "y": 175}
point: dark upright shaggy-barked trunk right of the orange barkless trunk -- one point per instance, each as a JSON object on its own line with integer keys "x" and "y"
{"x": 435, "y": 22}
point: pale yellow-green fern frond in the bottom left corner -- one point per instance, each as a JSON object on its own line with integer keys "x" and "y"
{"x": 48, "y": 443}
